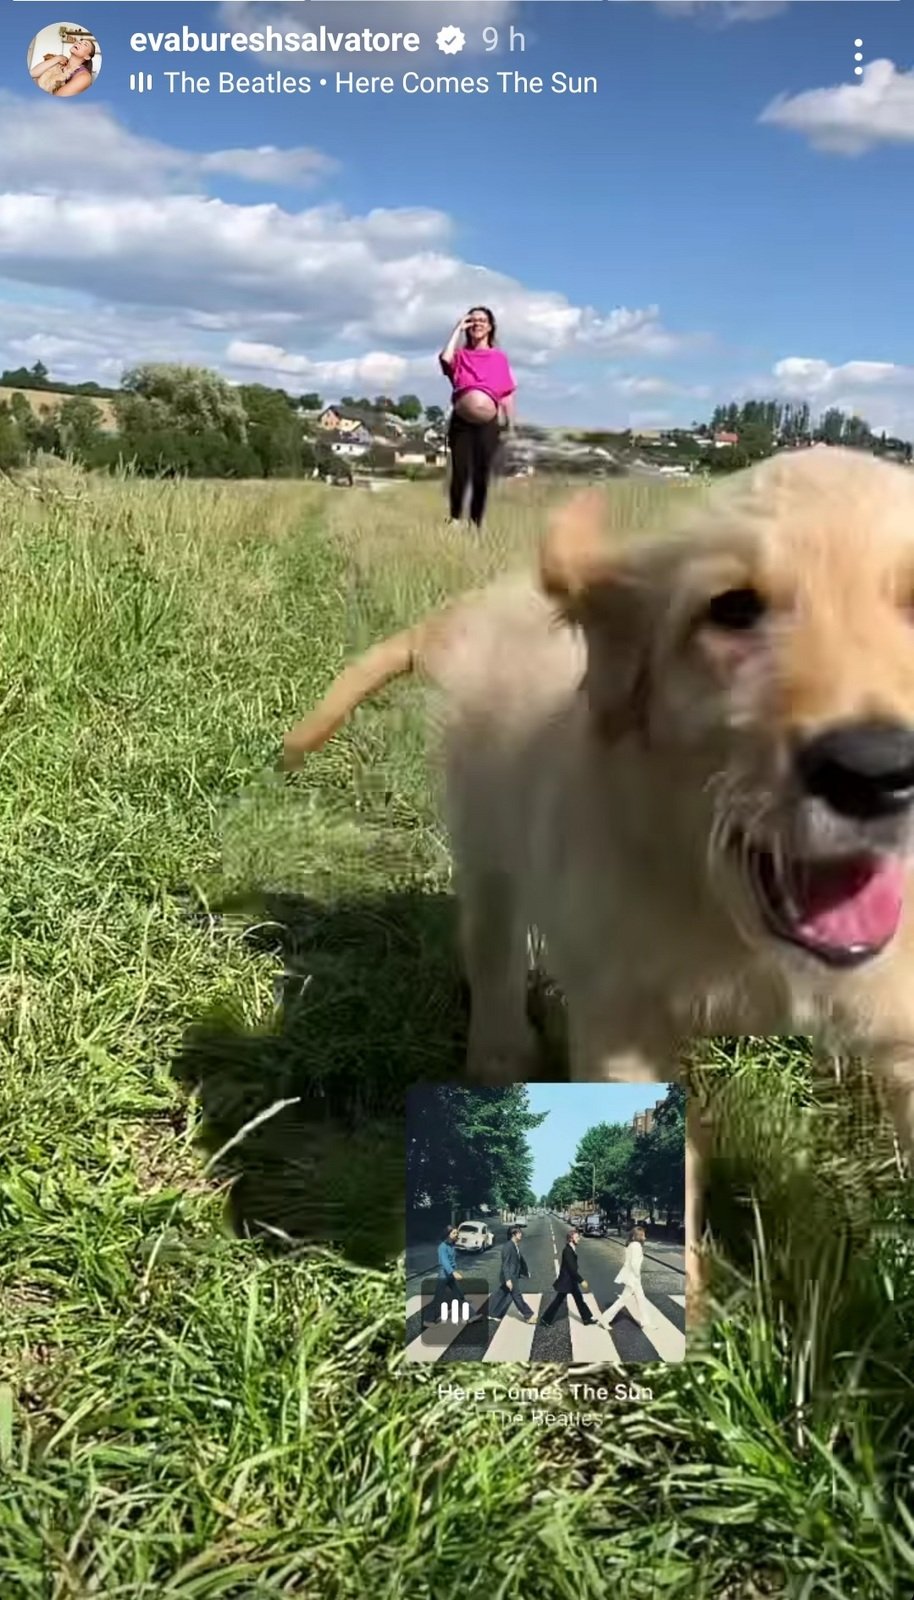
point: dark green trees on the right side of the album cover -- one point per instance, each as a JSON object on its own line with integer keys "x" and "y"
{"x": 620, "y": 1169}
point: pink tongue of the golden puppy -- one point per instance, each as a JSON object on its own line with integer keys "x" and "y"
{"x": 851, "y": 903}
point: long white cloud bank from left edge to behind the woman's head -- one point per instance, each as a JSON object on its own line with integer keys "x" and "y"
{"x": 379, "y": 281}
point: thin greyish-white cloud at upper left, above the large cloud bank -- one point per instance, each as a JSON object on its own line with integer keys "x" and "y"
{"x": 114, "y": 161}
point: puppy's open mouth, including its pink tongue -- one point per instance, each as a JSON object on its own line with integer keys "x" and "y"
{"x": 843, "y": 911}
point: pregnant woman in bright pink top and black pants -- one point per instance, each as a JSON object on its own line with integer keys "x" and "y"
{"x": 483, "y": 402}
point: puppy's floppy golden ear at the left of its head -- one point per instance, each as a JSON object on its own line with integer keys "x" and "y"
{"x": 609, "y": 593}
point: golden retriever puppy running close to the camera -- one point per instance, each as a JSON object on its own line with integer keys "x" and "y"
{"x": 688, "y": 762}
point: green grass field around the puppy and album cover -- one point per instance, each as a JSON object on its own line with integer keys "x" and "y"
{"x": 215, "y": 986}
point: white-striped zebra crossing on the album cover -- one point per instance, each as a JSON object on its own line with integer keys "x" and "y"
{"x": 569, "y": 1340}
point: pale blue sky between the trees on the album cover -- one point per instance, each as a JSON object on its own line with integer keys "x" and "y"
{"x": 574, "y": 1108}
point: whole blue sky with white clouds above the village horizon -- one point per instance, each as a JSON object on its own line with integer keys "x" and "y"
{"x": 729, "y": 215}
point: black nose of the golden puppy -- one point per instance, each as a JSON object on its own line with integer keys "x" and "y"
{"x": 860, "y": 769}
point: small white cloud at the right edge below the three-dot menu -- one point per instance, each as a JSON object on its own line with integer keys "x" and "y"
{"x": 852, "y": 118}
